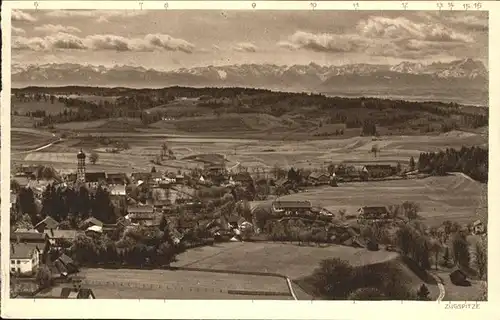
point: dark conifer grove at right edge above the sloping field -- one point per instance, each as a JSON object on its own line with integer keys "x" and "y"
{"x": 472, "y": 161}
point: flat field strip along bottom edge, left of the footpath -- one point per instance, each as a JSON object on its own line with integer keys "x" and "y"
{"x": 181, "y": 284}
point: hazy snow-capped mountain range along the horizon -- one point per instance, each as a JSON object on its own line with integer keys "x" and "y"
{"x": 311, "y": 77}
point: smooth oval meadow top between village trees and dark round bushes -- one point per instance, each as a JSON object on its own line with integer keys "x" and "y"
{"x": 286, "y": 259}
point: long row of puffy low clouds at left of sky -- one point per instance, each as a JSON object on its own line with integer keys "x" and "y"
{"x": 100, "y": 42}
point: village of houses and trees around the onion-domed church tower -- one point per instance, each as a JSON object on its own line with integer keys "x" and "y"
{"x": 207, "y": 205}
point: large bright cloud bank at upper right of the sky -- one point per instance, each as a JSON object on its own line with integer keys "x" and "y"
{"x": 403, "y": 28}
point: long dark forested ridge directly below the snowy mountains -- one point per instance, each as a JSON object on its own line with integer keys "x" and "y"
{"x": 354, "y": 112}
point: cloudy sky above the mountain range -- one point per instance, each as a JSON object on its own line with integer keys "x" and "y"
{"x": 182, "y": 39}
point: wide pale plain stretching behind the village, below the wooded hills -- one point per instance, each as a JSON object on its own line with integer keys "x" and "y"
{"x": 253, "y": 153}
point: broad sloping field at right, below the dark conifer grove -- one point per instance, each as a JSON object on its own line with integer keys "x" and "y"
{"x": 454, "y": 197}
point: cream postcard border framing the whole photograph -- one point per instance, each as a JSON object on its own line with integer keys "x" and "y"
{"x": 230, "y": 309}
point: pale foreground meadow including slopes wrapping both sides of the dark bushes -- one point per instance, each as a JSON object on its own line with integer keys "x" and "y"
{"x": 295, "y": 262}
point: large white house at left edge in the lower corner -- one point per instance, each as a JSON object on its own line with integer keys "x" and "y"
{"x": 24, "y": 258}
